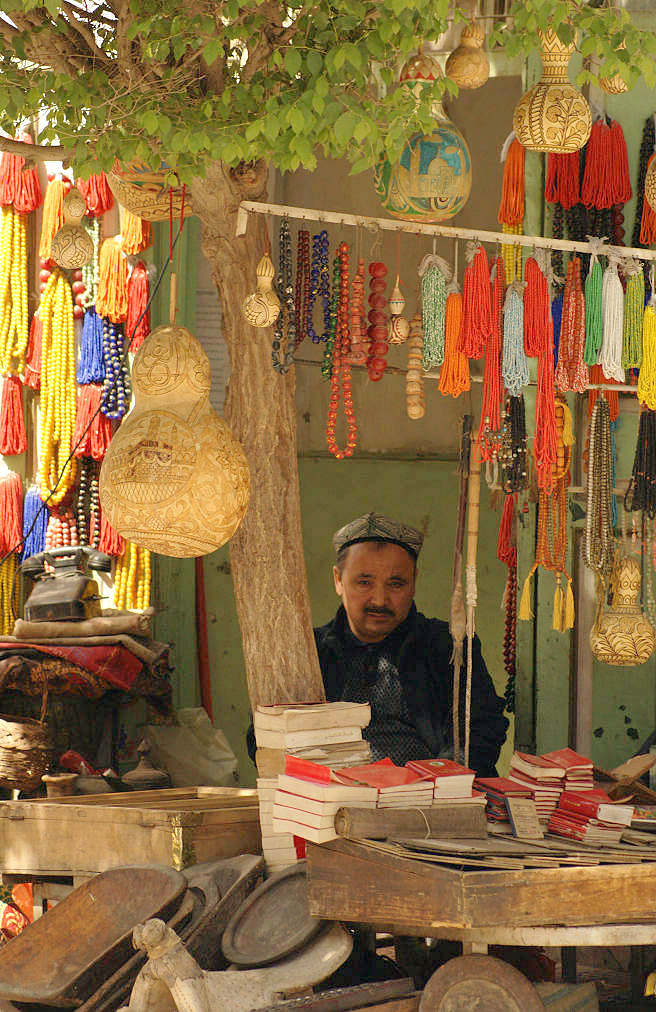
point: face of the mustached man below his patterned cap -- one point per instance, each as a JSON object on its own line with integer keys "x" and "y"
{"x": 377, "y": 587}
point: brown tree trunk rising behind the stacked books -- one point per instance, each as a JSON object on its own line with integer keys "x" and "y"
{"x": 267, "y": 553}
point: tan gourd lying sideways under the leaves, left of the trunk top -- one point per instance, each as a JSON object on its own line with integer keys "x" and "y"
{"x": 146, "y": 194}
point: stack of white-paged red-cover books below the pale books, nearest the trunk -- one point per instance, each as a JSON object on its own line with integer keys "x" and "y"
{"x": 307, "y": 799}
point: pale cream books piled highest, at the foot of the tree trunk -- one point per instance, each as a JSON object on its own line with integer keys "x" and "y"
{"x": 330, "y": 734}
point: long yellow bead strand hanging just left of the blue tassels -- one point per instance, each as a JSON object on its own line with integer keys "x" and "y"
{"x": 58, "y": 390}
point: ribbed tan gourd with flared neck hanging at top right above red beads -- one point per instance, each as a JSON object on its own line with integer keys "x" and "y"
{"x": 553, "y": 116}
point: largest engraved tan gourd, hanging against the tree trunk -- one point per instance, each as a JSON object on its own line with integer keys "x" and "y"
{"x": 175, "y": 479}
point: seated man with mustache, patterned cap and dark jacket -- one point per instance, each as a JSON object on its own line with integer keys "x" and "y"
{"x": 380, "y": 650}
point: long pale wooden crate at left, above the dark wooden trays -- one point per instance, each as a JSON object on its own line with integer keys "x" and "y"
{"x": 85, "y": 835}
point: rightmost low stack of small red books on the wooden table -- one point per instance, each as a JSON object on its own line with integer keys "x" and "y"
{"x": 591, "y": 817}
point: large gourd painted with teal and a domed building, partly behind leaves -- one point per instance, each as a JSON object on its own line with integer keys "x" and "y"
{"x": 433, "y": 180}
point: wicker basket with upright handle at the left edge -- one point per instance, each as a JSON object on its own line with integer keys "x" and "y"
{"x": 26, "y": 751}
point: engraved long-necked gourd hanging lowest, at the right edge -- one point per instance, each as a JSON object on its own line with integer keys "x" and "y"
{"x": 623, "y": 636}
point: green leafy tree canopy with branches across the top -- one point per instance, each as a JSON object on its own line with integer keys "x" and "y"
{"x": 194, "y": 81}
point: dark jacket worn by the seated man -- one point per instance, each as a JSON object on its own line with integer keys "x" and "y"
{"x": 424, "y": 661}
